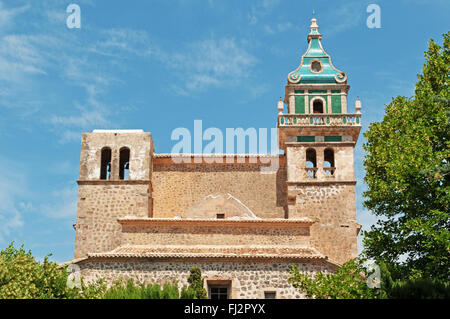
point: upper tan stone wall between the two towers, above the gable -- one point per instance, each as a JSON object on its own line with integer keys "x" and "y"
{"x": 178, "y": 187}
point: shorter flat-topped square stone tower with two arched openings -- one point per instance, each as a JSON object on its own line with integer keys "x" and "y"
{"x": 106, "y": 191}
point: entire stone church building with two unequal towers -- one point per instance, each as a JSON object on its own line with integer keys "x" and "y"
{"x": 152, "y": 217}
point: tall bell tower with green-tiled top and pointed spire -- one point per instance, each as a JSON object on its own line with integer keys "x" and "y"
{"x": 318, "y": 135}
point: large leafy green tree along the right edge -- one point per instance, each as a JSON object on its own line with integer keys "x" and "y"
{"x": 407, "y": 174}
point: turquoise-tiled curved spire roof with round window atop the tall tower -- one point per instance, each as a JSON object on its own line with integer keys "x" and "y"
{"x": 316, "y": 65}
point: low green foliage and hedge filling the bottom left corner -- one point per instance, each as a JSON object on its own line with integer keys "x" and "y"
{"x": 23, "y": 277}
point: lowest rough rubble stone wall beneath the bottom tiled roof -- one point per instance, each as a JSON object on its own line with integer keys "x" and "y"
{"x": 249, "y": 278}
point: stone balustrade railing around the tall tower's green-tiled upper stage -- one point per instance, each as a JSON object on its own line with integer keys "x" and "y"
{"x": 319, "y": 119}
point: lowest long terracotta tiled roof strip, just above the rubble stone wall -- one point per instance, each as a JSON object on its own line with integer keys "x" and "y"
{"x": 209, "y": 251}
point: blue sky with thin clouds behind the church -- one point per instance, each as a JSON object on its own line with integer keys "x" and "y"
{"x": 159, "y": 65}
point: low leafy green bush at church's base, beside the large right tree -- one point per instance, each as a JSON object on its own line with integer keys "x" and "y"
{"x": 348, "y": 282}
